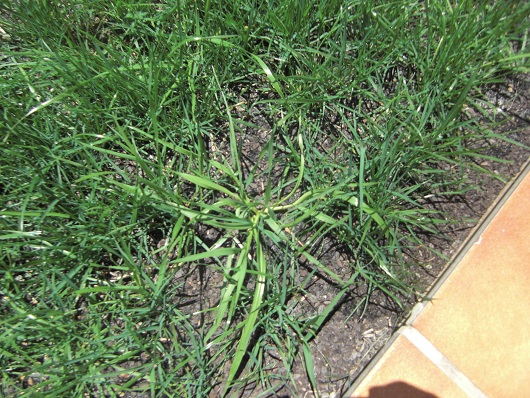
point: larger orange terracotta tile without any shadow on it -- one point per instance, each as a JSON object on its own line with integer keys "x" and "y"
{"x": 479, "y": 319}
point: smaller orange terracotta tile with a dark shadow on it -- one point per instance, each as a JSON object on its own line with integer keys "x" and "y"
{"x": 404, "y": 372}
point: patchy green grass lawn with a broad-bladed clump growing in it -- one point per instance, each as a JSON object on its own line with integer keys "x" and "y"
{"x": 171, "y": 173}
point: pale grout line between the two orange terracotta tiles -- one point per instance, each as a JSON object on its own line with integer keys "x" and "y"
{"x": 444, "y": 364}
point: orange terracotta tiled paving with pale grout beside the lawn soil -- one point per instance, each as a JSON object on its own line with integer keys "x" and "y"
{"x": 473, "y": 338}
